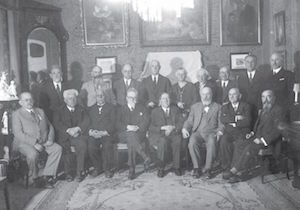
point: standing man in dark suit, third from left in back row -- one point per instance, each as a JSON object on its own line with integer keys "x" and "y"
{"x": 121, "y": 86}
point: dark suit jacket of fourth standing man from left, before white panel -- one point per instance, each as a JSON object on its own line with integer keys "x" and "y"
{"x": 152, "y": 92}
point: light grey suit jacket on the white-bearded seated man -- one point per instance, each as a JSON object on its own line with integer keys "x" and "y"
{"x": 213, "y": 124}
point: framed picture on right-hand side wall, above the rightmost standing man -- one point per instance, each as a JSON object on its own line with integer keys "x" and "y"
{"x": 279, "y": 28}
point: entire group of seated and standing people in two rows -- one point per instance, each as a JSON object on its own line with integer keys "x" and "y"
{"x": 214, "y": 115}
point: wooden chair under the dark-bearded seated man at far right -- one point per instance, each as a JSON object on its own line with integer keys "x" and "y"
{"x": 268, "y": 153}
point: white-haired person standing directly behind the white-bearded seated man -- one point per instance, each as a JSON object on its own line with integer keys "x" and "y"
{"x": 205, "y": 80}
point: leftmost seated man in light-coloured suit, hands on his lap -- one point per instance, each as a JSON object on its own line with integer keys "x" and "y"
{"x": 33, "y": 133}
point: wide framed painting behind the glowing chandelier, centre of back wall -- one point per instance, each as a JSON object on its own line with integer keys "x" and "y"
{"x": 191, "y": 28}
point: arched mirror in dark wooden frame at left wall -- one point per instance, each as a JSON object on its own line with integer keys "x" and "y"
{"x": 43, "y": 50}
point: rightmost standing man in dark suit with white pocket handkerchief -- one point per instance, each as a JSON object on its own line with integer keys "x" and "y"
{"x": 281, "y": 82}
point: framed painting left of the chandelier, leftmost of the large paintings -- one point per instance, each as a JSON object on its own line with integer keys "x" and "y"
{"x": 105, "y": 23}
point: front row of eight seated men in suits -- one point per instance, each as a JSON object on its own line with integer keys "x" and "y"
{"x": 80, "y": 132}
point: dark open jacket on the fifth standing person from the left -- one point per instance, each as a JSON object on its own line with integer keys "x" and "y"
{"x": 189, "y": 95}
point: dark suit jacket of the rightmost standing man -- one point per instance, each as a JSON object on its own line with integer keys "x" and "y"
{"x": 282, "y": 84}
